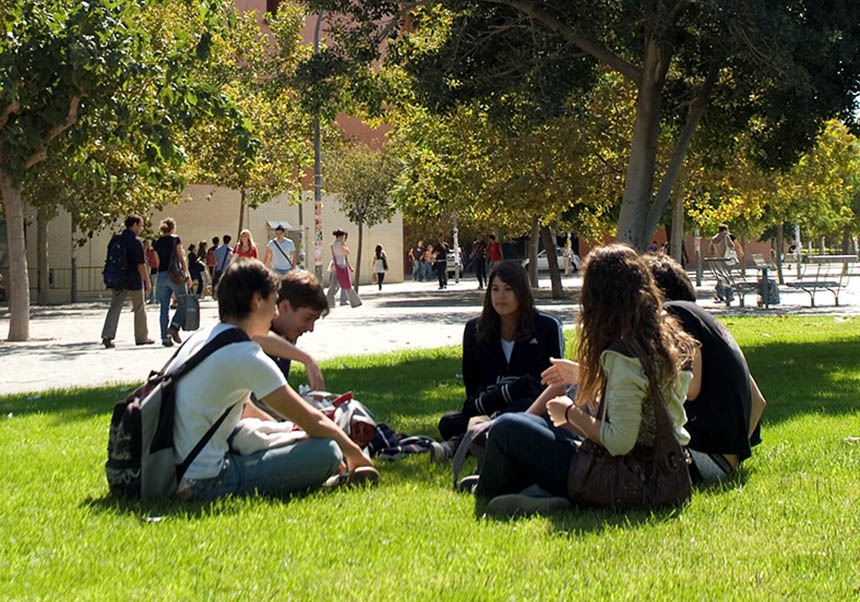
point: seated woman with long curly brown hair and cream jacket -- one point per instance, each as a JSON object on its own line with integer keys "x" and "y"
{"x": 630, "y": 354}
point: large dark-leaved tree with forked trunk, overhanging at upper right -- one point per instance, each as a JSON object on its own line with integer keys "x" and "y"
{"x": 777, "y": 70}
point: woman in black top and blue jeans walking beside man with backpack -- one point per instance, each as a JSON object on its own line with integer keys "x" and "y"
{"x": 165, "y": 246}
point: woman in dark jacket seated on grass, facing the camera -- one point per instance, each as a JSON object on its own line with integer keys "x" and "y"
{"x": 505, "y": 349}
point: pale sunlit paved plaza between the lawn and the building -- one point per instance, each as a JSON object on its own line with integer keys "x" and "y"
{"x": 65, "y": 348}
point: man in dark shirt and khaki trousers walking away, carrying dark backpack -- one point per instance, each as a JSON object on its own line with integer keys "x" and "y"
{"x": 137, "y": 287}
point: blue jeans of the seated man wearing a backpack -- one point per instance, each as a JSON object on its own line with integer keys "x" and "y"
{"x": 276, "y": 471}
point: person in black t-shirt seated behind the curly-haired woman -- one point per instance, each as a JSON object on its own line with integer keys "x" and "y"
{"x": 724, "y": 404}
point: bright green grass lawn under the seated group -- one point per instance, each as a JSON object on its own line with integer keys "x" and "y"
{"x": 787, "y": 527}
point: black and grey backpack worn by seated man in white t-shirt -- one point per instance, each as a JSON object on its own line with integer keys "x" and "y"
{"x": 141, "y": 462}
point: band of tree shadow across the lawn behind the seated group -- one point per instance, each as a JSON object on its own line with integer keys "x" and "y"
{"x": 412, "y": 391}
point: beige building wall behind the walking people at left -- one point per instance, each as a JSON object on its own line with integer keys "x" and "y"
{"x": 214, "y": 211}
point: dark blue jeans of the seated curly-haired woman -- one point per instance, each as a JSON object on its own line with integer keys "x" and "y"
{"x": 524, "y": 450}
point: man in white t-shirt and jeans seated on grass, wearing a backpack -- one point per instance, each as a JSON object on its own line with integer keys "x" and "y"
{"x": 247, "y": 297}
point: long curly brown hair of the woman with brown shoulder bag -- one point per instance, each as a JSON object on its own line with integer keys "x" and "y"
{"x": 621, "y": 302}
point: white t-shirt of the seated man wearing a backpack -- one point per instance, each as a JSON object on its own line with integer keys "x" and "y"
{"x": 225, "y": 378}
